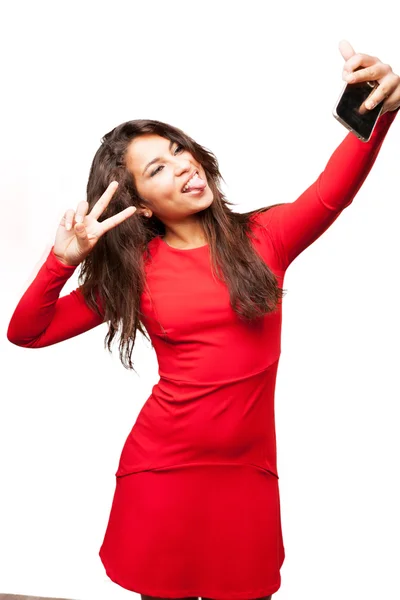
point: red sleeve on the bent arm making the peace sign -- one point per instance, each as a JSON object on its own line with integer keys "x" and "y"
{"x": 42, "y": 318}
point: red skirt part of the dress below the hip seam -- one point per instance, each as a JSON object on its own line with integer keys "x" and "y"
{"x": 202, "y": 530}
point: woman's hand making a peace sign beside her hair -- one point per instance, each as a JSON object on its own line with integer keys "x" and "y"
{"x": 78, "y": 232}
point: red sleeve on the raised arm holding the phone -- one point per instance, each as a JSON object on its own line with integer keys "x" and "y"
{"x": 294, "y": 226}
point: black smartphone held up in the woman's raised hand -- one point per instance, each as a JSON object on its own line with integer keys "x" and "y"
{"x": 350, "y": 109}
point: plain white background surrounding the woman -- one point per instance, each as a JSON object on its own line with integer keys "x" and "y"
{"x": 255, "y": 82}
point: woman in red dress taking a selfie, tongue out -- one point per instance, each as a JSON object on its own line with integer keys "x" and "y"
{"x": 196, "y": 509}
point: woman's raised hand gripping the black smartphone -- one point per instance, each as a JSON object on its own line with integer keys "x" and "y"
{"x": 375, "y": 70}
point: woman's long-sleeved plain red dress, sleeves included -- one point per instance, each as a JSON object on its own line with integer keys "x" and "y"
{"x": 196, "y": 509}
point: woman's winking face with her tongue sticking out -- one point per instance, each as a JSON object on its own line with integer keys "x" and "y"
{"x": 161, "y": 182}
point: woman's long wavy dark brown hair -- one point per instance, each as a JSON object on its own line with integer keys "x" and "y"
{"x": 113, "y": 273}
